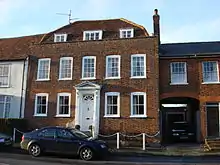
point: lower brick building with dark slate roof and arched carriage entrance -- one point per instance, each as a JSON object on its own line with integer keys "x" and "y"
{"x": 189, "y": 80}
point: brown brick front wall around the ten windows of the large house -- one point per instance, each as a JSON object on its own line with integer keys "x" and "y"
{"x": 125, "y": 85}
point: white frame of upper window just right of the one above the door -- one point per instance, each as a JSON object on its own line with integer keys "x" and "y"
{"x": 119, "y": 67}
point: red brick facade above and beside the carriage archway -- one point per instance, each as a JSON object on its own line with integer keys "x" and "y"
{"x": 194, "y": 89}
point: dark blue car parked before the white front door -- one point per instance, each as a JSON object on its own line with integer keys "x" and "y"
{"x": 63, "y": 140}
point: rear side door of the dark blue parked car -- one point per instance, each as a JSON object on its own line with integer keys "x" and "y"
{"x": 46, "y": 139}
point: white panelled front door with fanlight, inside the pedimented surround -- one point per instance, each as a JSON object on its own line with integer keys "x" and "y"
{"x": 87, "y": 111}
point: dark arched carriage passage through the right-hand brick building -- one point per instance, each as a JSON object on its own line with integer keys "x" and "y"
{"x": 180, "y": 119}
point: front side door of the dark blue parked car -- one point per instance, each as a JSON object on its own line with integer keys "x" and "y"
{"x": 67, "y": 142}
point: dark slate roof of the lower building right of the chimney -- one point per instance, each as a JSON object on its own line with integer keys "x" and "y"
{"x": 190, "y": 48}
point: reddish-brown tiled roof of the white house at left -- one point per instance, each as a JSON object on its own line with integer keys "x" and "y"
{"x": 17, "y": 48}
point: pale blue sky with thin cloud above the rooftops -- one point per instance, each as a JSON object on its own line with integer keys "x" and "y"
{"x": 180, "y": 20}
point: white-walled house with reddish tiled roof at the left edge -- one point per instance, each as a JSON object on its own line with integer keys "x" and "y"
{"x": 13, "y": 75}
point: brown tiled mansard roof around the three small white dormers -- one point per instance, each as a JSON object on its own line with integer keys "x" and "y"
{"x": 111, "y": 26}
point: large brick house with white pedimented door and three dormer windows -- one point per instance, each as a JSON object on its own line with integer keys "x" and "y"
{"x": 101, "y": 73}
